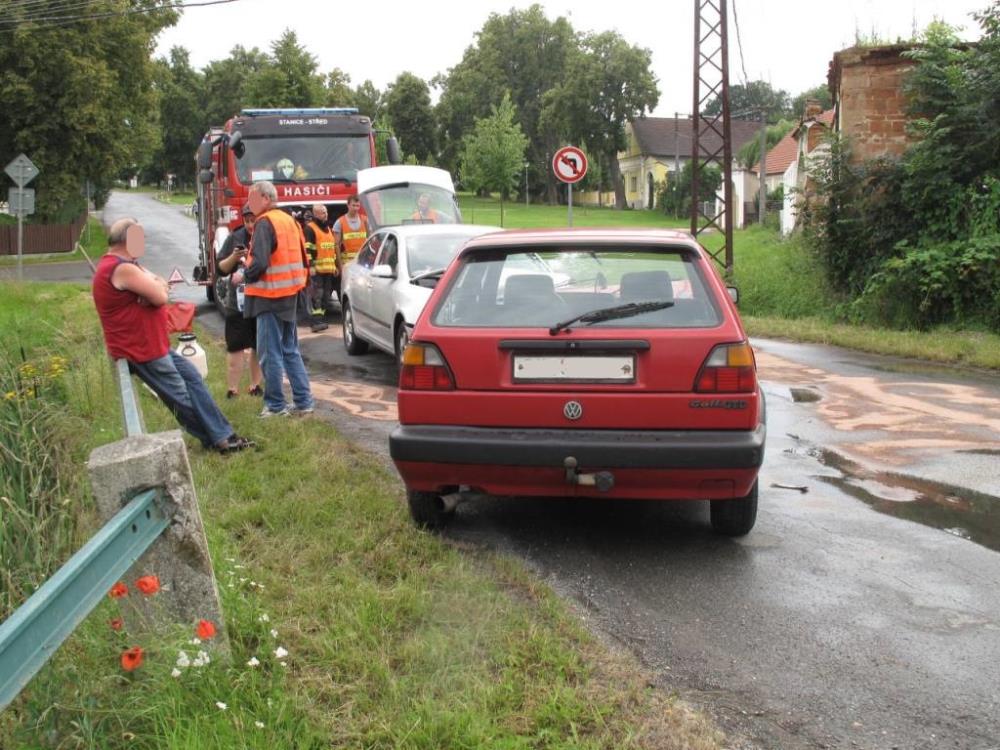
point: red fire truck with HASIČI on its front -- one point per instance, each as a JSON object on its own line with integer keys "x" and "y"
{"x": 311, "y": 155}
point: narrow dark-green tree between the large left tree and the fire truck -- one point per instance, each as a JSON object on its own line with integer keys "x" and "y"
{"x": 182, "y": 116}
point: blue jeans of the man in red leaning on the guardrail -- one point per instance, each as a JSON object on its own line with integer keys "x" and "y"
{"x": 181, "y": 389}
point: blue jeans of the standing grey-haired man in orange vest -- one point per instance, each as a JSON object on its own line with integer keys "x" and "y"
{"x": 278, "y": 353}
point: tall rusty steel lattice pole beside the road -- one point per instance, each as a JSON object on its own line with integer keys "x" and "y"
{"x": 711, "y": 138}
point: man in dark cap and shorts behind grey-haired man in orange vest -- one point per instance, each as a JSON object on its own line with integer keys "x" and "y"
{"x": 241, "y": 332}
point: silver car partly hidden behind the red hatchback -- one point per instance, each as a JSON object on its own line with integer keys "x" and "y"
{"x": 390, "y": 280}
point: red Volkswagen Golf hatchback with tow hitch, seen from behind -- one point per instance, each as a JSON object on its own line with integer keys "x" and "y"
{"x": 588, "y": 363}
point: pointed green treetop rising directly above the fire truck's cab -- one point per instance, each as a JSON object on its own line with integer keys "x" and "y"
{"x": 289, "y": 79}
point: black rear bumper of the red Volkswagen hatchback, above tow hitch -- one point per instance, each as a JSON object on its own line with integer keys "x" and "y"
{"x": 605, "y": 449}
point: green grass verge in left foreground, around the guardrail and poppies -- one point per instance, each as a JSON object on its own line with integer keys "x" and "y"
{"x": 396, "y": 638}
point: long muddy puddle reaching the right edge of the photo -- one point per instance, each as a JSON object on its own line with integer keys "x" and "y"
{"x": 960, "y": 512}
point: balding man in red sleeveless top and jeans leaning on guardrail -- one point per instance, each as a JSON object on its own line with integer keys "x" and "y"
{"x": 131, "y": 303}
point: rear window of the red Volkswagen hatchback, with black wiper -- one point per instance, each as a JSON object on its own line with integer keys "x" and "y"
{"x": 539, "y": 288}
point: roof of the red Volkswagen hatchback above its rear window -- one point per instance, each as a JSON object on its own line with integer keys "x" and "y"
{"x": 513, "y": 239}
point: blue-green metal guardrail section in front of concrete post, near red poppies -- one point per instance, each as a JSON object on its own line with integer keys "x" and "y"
{"x": 30, "y": 636}
